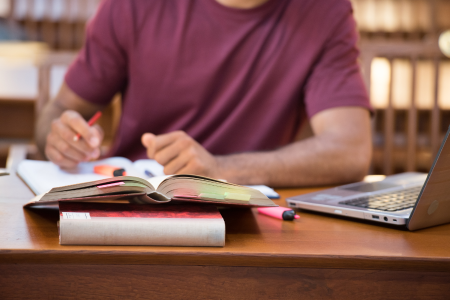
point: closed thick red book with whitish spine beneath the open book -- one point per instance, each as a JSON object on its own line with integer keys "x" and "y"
{"x": 84, "y": 223}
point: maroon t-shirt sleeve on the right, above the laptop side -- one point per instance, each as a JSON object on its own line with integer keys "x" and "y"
{"x": 336, "y": 80}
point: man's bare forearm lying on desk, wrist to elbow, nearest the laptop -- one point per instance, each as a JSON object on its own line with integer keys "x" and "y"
{"x": 314, "y": 161}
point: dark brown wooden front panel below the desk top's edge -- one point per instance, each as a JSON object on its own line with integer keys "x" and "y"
{"x": 212, "y": 282}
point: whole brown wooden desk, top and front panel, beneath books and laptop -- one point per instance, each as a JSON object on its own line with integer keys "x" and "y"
{"x": 314, "y": 257}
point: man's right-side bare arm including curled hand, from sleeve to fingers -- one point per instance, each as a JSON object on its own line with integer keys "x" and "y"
{"x": 339, "y": 152}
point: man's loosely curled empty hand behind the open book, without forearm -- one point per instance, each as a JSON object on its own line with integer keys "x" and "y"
{"x": 180, "y": 154}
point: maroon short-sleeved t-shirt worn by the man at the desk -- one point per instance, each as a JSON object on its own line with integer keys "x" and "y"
{"x": 234, "y": 79}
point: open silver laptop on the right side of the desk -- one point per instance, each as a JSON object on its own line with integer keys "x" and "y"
{"x": 414, "y": 200}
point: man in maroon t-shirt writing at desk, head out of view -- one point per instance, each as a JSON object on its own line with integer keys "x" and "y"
{"x": 219, "y": 88}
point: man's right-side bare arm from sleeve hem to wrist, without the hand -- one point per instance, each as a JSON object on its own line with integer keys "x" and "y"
{"x": 340, "y": 152}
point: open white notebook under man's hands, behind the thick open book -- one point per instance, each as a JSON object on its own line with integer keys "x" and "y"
{"x": 42, "y": 176}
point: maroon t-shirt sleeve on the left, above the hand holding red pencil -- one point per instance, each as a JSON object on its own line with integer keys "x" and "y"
{"x": 100, "y": 69}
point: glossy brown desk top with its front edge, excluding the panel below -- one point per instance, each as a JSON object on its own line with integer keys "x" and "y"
{"x": 313, "y": 241}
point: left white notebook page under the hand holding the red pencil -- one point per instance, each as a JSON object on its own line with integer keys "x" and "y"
{"x": 42, "y": 176}
